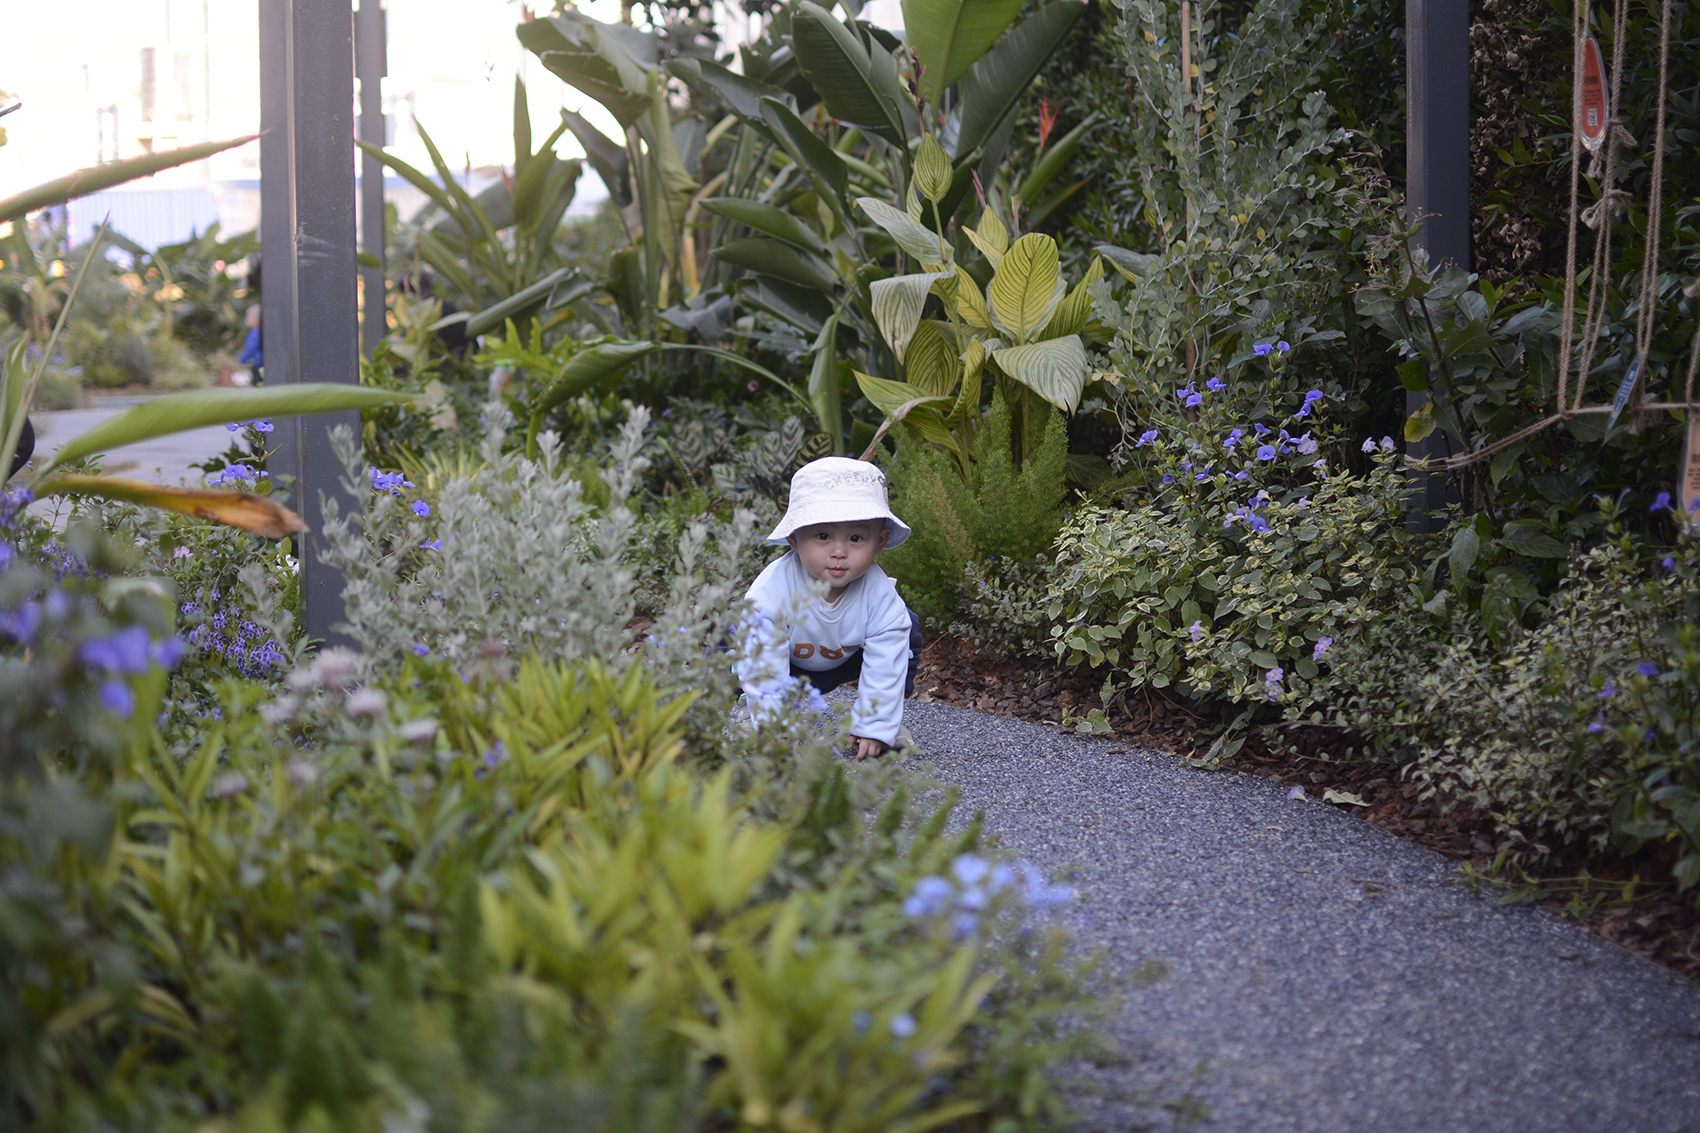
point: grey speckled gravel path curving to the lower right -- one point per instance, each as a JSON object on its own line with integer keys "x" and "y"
{"x": 1325, "y": 976}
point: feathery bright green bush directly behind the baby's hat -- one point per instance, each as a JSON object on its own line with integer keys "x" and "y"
{"x": 1000, "y": 515}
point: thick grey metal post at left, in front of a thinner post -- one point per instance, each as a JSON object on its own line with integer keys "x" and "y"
{"x": 307, "y": 244}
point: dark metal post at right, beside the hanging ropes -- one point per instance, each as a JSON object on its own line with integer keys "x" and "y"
{"x": 1437, "y": 169}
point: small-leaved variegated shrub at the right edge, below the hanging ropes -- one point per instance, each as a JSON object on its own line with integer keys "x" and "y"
{"x": 1577, "y": 736}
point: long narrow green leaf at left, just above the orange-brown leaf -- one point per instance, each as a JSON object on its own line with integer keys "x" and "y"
{"x": 195, "y": 409}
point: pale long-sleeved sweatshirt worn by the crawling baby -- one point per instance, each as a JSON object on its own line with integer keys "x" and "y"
{"x": 793, "y": 627}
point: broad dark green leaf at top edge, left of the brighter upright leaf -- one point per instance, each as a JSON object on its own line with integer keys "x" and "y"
{"x": 859, "y": 88}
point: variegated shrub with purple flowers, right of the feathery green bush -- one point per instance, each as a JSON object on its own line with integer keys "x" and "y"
{"x": 1242, "y": 567}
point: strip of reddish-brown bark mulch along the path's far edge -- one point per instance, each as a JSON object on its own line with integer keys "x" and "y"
{"x": 1623, "y": 901}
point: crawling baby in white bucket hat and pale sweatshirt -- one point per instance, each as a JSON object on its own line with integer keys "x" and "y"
{"x": 837, "y": 525}
